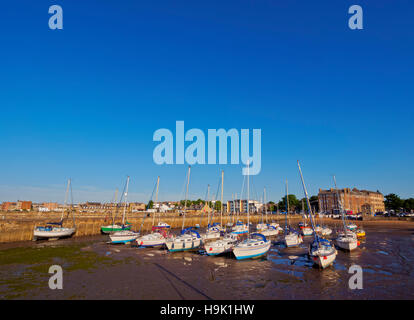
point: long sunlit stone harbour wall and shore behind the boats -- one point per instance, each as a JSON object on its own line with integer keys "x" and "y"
{"x": 19, "y": 227}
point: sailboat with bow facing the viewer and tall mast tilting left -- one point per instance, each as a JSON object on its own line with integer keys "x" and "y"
{"x": 321, "y": 251}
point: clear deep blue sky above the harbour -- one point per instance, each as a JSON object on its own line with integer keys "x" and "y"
{"x": 84, "y": 102}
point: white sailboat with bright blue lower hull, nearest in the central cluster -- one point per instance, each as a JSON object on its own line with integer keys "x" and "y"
{"x": 256, "y": 245}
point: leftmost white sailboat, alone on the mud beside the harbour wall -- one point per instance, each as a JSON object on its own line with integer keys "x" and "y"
{"x": 55, "y": 230}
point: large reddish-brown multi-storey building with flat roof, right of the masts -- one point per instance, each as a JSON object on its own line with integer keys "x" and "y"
{"x": 355, "y": 201}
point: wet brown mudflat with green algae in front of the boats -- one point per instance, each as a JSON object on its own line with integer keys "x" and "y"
{"x": 93, "y": 269}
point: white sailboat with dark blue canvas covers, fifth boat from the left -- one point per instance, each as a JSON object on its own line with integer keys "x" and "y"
{"x": 189, "y": 238}
